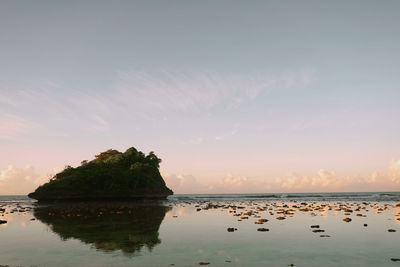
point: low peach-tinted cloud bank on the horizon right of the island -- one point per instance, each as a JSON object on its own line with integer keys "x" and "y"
{"x": 322, "y": 181}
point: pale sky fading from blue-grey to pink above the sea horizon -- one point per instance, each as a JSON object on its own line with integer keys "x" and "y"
{"x": 234, "y": 96}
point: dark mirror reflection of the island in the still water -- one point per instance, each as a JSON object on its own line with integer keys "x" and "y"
{"x": 107, "y": 226}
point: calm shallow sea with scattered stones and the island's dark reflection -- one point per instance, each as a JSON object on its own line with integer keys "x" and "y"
{"x": 315, "y": 229}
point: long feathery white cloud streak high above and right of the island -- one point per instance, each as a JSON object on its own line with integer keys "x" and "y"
{"x": 201, "y": 91}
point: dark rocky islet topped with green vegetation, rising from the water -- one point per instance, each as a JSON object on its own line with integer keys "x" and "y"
{"x": 111, "y": 175}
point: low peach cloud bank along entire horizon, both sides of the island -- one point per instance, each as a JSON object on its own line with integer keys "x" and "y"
{"x": 20, "y": 181}
